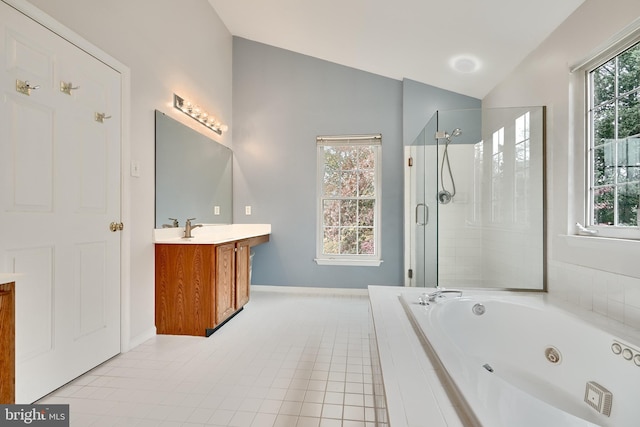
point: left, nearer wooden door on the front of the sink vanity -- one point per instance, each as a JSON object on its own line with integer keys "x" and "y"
{"x": 225, "y": 281}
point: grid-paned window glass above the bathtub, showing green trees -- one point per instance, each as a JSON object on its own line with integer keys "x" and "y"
{"x": 614, "y": 141}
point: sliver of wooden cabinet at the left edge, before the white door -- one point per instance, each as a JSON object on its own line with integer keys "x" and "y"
{"x": 7, "y": 343}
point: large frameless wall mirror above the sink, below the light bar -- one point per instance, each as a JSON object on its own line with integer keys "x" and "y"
{"x": 193, "y": 175}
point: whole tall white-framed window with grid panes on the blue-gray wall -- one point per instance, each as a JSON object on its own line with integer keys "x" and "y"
{"x": 349, "y": 200}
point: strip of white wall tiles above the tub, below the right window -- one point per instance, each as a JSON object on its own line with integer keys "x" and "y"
{"x": 612, "y": 295}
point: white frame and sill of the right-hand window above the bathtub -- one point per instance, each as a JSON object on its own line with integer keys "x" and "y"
{"x": 614, "y": 50}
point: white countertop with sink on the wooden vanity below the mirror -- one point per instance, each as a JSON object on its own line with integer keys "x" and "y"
{"x": 210, "y": 234}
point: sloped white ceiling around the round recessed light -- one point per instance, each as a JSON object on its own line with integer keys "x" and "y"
{"x": 415, "y": 39}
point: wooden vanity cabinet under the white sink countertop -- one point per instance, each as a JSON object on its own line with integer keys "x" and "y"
{"x": 201, "y": 286}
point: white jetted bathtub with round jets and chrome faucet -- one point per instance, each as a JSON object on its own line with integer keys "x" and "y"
{"x": 519, "y": 359}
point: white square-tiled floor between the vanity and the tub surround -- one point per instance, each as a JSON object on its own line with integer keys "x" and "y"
{"x": 287, "y": 360}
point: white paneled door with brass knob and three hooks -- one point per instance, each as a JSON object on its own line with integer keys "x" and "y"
{"x": 60, "y": 190}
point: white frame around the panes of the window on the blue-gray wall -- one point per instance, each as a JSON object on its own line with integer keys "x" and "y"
{"x": 321, "y": 258}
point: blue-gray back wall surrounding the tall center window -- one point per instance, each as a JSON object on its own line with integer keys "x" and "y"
{"x": 281, "y": 102}
